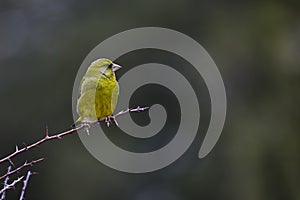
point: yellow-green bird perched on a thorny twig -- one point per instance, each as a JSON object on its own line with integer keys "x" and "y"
{"x": 99, "y": 91}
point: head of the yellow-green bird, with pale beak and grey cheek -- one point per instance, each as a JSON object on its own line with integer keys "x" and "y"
{"x": 104, "y": 67}
